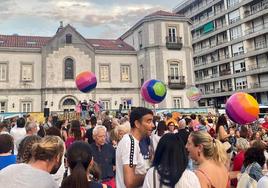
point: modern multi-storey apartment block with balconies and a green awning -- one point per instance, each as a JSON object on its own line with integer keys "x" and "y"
{"x": 229, "y": 39}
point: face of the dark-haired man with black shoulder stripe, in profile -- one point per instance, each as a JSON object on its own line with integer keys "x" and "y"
{"x": 146, "y": 125}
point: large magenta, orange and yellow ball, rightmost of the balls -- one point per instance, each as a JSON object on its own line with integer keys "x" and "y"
{"x": 242, "y": 108}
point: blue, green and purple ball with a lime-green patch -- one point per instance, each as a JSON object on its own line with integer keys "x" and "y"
{"x": 153, "y": 91}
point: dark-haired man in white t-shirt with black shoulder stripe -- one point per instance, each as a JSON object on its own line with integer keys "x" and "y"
{"x": 130, "y": 164}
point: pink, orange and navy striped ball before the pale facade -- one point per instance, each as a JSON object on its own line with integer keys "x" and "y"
{"x": 86, "y": 81}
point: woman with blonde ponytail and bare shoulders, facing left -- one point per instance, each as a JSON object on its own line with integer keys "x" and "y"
{"x": 211, "y": 157}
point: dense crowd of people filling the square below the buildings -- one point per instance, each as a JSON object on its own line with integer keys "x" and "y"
{"x": 138, "y": 149}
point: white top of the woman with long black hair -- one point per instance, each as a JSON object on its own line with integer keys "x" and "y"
{"x": 187, "y": 180}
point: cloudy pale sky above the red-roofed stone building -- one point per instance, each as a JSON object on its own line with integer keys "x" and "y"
{"x": 107, "y": 19}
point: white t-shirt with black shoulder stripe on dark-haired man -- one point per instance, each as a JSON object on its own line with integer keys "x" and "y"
{"x": 123, "y": 158}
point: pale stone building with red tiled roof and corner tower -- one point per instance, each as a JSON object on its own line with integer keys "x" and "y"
{"x": 38, "y": 72}
